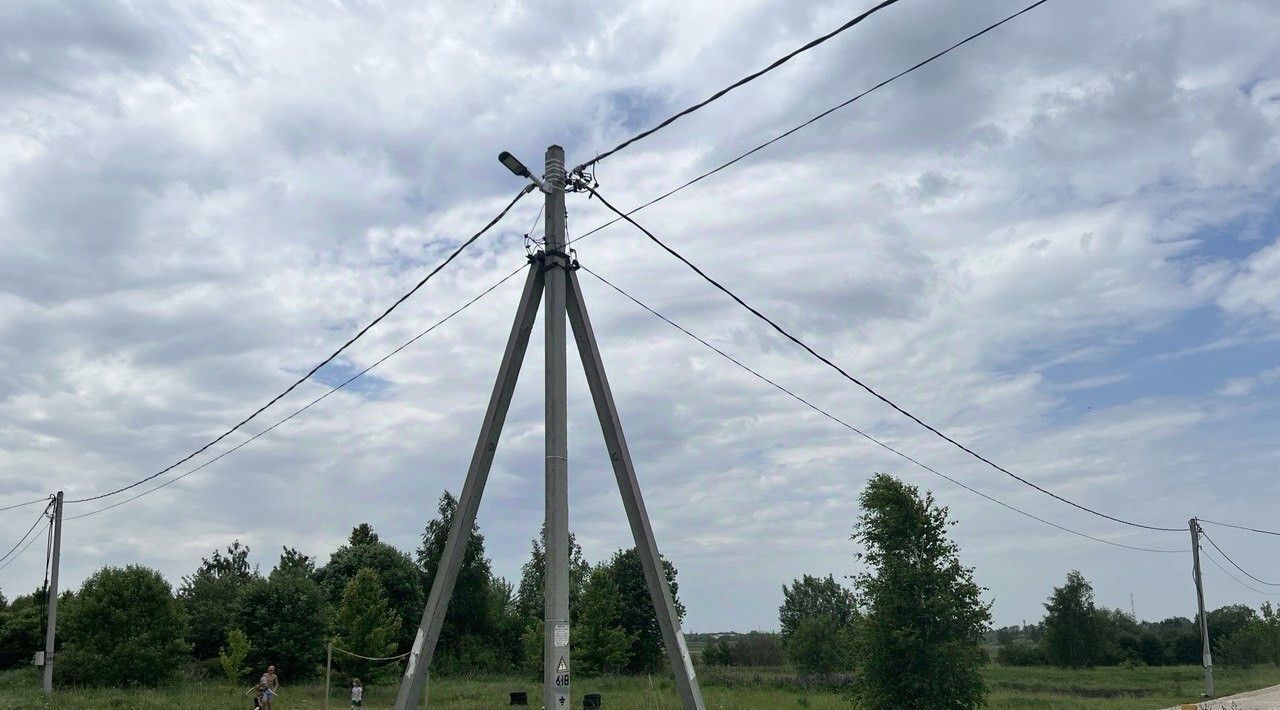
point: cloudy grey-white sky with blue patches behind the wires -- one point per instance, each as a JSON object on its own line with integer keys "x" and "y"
{"x": 1060, "y": 244}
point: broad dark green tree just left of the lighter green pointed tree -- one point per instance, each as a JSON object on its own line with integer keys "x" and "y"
{"x": 289, "y": 619}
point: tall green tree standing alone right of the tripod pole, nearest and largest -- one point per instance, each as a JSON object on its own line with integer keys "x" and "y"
{"x": 921, "y": 636}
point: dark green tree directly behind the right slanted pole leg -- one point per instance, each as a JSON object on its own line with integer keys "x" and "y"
{"x": 637, "y": 616}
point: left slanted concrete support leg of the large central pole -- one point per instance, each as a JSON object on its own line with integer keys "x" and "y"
{"x": 469, "y": 502}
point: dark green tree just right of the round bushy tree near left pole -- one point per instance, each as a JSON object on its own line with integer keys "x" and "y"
{"x": 212, "y": 598}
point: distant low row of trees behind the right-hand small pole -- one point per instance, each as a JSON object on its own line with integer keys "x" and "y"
{"x": 1078, "y": 634}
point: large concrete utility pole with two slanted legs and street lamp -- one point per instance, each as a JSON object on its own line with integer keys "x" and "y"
{"x": 551, "y": 276}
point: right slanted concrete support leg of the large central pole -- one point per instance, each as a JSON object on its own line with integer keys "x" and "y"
{"x": 683, "y": 667}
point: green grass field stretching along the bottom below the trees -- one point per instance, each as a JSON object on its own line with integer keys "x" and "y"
{"x": 1101, "y": 689}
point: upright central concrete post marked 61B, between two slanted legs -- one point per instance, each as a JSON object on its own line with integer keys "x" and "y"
{"x": 556, "y": 653}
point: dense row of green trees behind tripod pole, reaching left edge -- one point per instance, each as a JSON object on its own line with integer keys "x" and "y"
{"x": 129, "y": 626}
